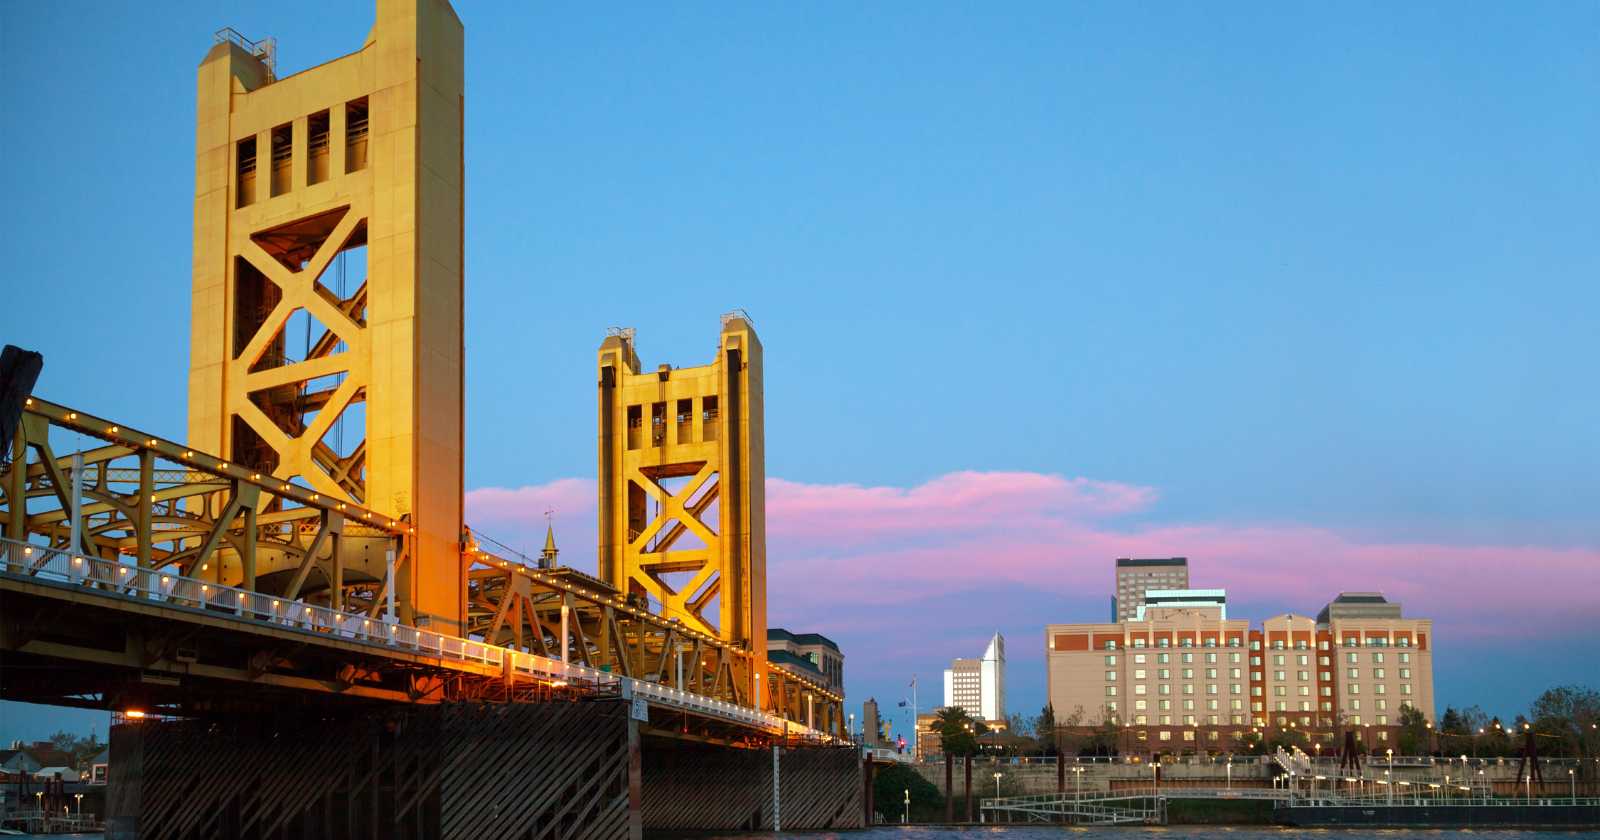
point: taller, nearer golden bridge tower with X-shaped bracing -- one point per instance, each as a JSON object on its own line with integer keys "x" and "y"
{"x": 302, "y": 367}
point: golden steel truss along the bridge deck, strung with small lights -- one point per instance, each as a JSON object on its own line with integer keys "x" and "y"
{"x": 135, "y": 516}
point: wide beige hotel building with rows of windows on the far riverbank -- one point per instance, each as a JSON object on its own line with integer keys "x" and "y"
{"x": 1182, "y": 676}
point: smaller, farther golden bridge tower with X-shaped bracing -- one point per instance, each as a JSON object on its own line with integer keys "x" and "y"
{"x": 682, "y": 486}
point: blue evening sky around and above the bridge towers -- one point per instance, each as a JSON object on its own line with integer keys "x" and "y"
{"x": 1287, "y": 265}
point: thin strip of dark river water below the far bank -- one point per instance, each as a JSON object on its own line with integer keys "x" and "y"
{"x": 1166, "y": 833}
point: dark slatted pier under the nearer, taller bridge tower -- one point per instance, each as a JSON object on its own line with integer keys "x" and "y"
{"x": 428, "y": 774}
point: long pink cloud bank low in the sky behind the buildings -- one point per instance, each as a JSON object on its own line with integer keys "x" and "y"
{"x": 874, "y": 556}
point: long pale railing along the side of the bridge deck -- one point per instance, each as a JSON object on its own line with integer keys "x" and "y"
{"x": 129, "y": 582}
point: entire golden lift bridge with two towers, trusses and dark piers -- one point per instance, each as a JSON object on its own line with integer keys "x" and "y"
{"x": 295, "y": 583}
